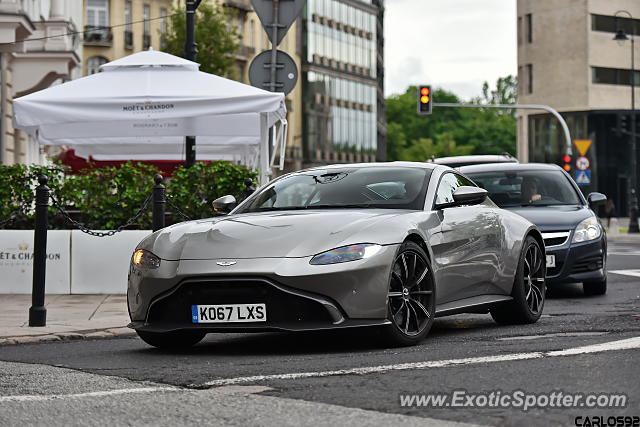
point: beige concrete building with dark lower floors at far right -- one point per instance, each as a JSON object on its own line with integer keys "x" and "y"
{"x": 567, "y": 59}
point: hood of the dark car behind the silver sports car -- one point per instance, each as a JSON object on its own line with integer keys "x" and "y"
{"x": 554, "y": 218}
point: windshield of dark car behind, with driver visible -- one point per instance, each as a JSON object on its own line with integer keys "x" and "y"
{"x": 527, "y": 188}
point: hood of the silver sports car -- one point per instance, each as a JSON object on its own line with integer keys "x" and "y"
{"x": 268, "y": 234}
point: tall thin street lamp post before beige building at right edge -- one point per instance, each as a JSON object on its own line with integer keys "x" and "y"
{"x": 620, "y": 37}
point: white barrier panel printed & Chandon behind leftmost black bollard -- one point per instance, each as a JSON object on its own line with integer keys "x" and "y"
{"x": 16, "y": 262}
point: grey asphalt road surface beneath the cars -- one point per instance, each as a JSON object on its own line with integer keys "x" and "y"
{"x": 582, "y": 345}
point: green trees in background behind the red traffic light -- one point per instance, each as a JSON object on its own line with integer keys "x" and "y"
{"x": 451, "y": 131}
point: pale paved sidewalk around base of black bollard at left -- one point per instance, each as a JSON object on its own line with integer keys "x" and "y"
{"x": 68, "y": 317}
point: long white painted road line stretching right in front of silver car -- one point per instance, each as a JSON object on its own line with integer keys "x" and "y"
{"x": 631, "y": 343}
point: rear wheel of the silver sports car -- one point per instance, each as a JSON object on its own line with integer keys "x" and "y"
{"x": 528, "y": 290}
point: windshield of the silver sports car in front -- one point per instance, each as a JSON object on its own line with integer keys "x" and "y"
{"x": 363, "y": 187}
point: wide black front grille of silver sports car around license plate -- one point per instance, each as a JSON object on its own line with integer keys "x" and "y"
{"x": 283, "y": 308}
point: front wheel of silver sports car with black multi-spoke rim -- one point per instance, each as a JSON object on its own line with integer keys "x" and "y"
{"x": 411, "y": 296}
